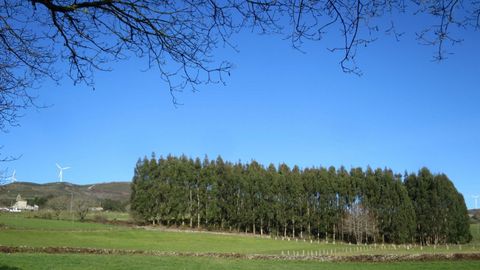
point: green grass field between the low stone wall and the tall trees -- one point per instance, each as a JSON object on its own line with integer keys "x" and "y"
{"x": 20, "y": 231}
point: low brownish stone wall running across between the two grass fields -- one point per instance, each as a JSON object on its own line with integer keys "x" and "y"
{"x": 324, "y": 258}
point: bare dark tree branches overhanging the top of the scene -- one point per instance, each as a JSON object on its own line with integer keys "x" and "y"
{"x": 179, "y": 38}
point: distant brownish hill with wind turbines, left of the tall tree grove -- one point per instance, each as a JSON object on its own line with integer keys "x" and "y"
{"x": 114, "y": 190}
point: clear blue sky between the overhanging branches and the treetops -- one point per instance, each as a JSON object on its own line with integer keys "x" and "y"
{"x": 279, "y": 105}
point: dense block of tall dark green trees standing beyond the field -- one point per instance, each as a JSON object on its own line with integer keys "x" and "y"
{"x": 358, "y": 206}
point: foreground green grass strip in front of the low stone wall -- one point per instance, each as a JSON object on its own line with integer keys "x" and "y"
{"x": 48, "y": 261}
